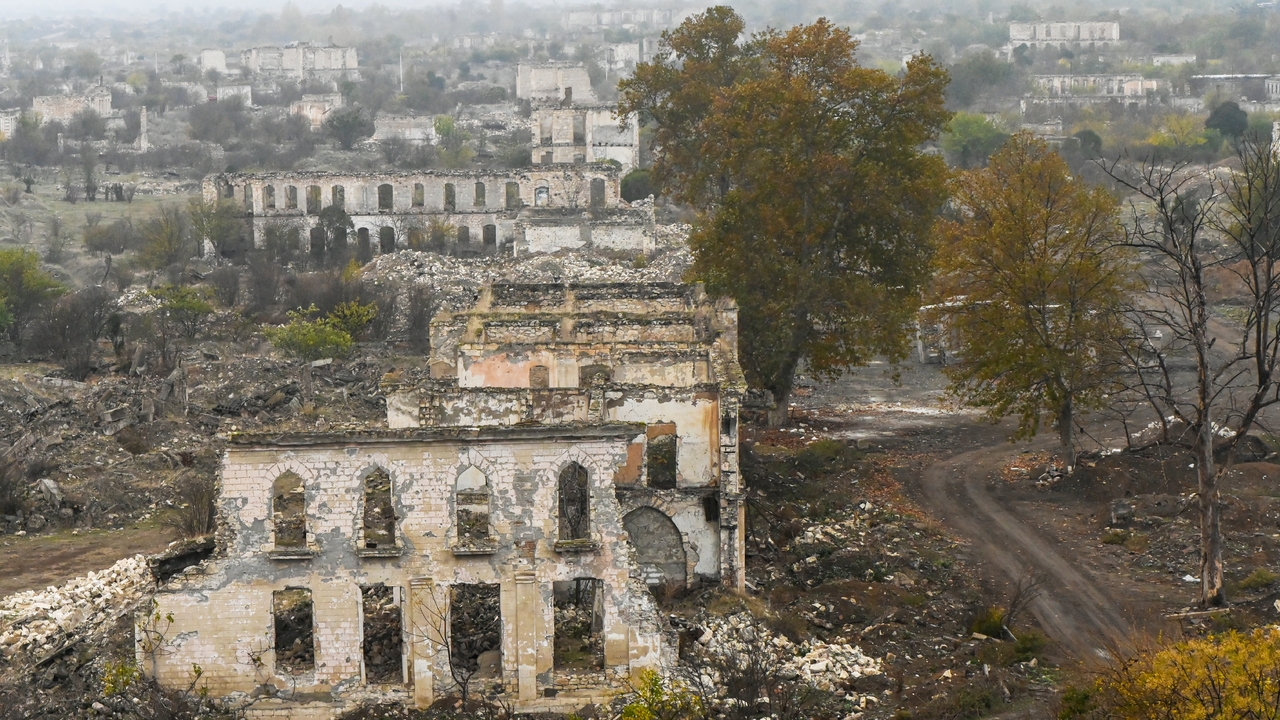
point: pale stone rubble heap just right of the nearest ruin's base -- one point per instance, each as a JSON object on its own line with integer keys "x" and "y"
{"x": 830, "y": 668}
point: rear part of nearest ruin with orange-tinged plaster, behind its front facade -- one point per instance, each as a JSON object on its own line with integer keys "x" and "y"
{"x": 665, "y": 356}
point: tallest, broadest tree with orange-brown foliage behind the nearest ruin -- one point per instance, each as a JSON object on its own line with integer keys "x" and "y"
{"x": 815, "y": 200}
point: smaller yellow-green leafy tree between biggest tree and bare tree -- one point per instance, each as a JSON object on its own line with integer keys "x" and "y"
{"x": 1036, "y": 257}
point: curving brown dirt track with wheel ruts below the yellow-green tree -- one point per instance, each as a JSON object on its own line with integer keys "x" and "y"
{"x": 1073, "y": 609}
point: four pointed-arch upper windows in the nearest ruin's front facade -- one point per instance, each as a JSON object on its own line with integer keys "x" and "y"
{"x": 473, "y": 499}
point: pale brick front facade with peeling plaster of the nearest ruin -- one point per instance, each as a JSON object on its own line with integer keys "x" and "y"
{"x": 223, "y": 616}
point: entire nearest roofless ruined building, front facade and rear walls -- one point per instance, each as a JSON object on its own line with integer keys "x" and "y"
{"x": 574, "y": 445}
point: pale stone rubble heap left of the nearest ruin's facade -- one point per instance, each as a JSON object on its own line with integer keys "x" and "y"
{"x": 39, "y": 622}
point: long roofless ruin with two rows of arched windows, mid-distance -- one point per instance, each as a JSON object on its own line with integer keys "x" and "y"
{"x": 540, "y": 211}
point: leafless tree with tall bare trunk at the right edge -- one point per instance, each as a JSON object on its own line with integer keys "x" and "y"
{"x": 1192, "y": 225}
